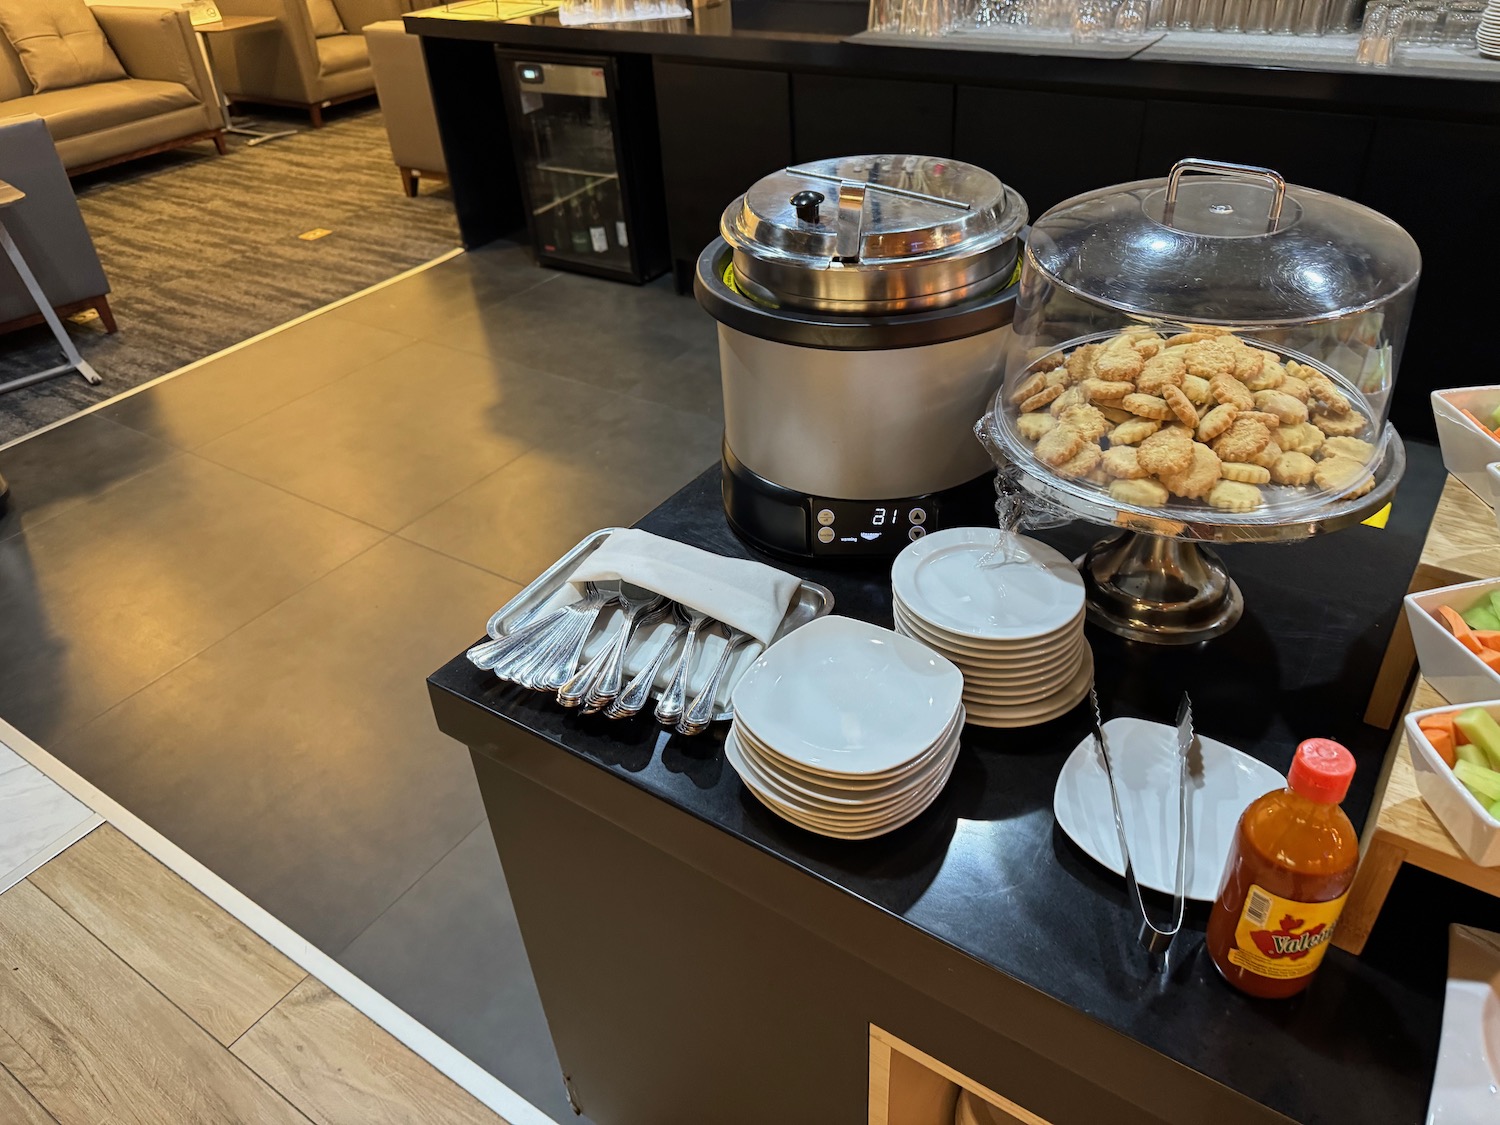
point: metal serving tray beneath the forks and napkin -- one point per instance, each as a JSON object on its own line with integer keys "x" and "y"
{"x": 551, "y": 590}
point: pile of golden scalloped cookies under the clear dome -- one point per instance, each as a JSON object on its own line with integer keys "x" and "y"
{"x": 1202, "y": 416}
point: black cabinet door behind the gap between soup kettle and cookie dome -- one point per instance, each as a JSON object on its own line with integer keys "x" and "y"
{"x": 1049, "y": 146}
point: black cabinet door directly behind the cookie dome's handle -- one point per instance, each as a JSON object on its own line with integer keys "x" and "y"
{"x": 1315, "y": 149}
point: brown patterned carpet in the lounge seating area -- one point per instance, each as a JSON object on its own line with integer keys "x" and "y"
{"x": 203, "y": 253}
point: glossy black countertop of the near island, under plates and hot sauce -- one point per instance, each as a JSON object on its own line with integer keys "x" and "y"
{"x": 988, "y": 872}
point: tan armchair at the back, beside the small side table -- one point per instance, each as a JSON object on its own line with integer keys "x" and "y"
{"x": 311, "y": 59}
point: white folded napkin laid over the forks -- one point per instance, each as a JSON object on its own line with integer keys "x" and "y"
{"x": 749, "y": 596}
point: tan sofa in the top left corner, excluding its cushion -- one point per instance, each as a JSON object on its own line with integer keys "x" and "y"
{"x": 164, "y": 100}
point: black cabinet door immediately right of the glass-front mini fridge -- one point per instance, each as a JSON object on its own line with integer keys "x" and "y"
{"x": 722, "y": 130}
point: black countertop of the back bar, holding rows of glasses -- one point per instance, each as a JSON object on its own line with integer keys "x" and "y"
{"x": 812, "y": 35}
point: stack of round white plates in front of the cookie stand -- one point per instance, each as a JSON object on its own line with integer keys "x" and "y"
{"x": 1013, "y": 626}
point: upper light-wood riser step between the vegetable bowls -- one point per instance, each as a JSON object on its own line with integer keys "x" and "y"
{"x": 1463, "y": 545}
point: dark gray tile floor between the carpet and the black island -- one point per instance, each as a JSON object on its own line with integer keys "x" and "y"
{"x": 220, "y": 599}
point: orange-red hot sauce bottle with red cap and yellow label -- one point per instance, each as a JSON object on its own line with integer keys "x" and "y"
{"x": 1288, "y": 877}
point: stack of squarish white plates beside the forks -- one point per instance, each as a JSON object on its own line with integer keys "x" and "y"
{"x": 845, "y": 728}
